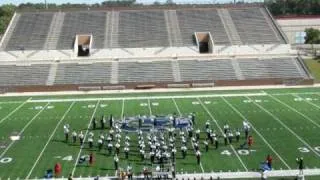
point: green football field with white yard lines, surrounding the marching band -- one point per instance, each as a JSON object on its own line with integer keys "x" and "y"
{"x": 285, "y": 123}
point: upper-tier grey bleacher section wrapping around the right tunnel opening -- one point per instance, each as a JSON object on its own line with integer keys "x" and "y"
{"x": 202, "y": 21}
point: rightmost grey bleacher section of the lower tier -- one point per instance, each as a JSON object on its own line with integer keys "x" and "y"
{"x": 271, "y": 68}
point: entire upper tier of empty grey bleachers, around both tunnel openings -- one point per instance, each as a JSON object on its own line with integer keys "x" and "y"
{"x": 139, "y": 28}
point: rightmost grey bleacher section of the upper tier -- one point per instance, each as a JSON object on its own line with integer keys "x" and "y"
{"x": 253, "y": 27}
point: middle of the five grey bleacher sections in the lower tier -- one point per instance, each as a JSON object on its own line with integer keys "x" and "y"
{"x": 157, "y": 71}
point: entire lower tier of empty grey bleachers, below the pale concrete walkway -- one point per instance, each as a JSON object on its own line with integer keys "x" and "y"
{"x": 155, "y": 71}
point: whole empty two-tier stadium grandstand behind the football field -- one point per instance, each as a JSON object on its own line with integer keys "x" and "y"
{"x": 147, "y": 48}
